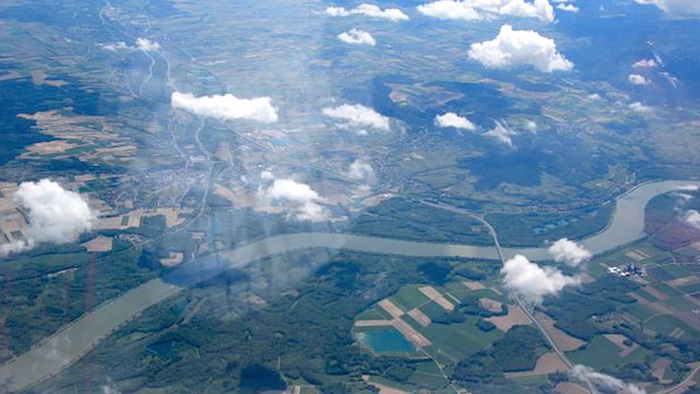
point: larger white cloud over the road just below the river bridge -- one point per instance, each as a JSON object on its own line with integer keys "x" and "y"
{"x": 532, "y": 282}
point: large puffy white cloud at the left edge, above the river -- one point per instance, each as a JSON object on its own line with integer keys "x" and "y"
{"x": 54, "y": 215}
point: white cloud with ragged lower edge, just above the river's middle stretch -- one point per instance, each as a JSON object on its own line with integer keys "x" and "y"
{"x": 303, "y": 202}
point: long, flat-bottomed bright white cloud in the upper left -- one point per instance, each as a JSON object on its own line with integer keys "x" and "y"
{"x": 226, "y": 107}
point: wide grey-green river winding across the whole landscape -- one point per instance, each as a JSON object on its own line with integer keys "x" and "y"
{"x": 76, "y": 339}
